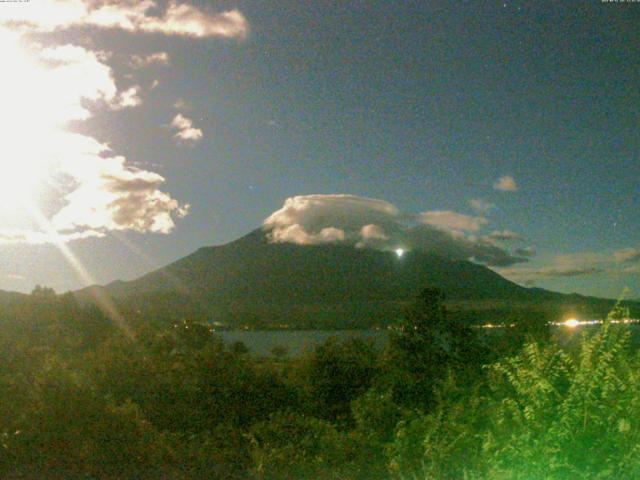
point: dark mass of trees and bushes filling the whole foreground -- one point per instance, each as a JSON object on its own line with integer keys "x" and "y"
{"x": 84, "y": 397}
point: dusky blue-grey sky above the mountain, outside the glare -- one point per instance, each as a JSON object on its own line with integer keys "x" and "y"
{"x": 423, "y": 105}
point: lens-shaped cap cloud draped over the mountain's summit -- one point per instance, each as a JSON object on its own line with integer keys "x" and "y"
{"x": 367, "y": 222}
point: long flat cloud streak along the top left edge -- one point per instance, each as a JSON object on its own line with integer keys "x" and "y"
{"x": 134, "y": 16}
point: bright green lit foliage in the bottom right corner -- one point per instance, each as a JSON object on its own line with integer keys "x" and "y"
{"x": 544, "y": 413}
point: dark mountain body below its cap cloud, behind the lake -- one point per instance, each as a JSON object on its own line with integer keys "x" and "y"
{"x": 251, "y": 278}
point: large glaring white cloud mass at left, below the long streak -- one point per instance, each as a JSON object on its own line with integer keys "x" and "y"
{"x": 95, "y": 190}
